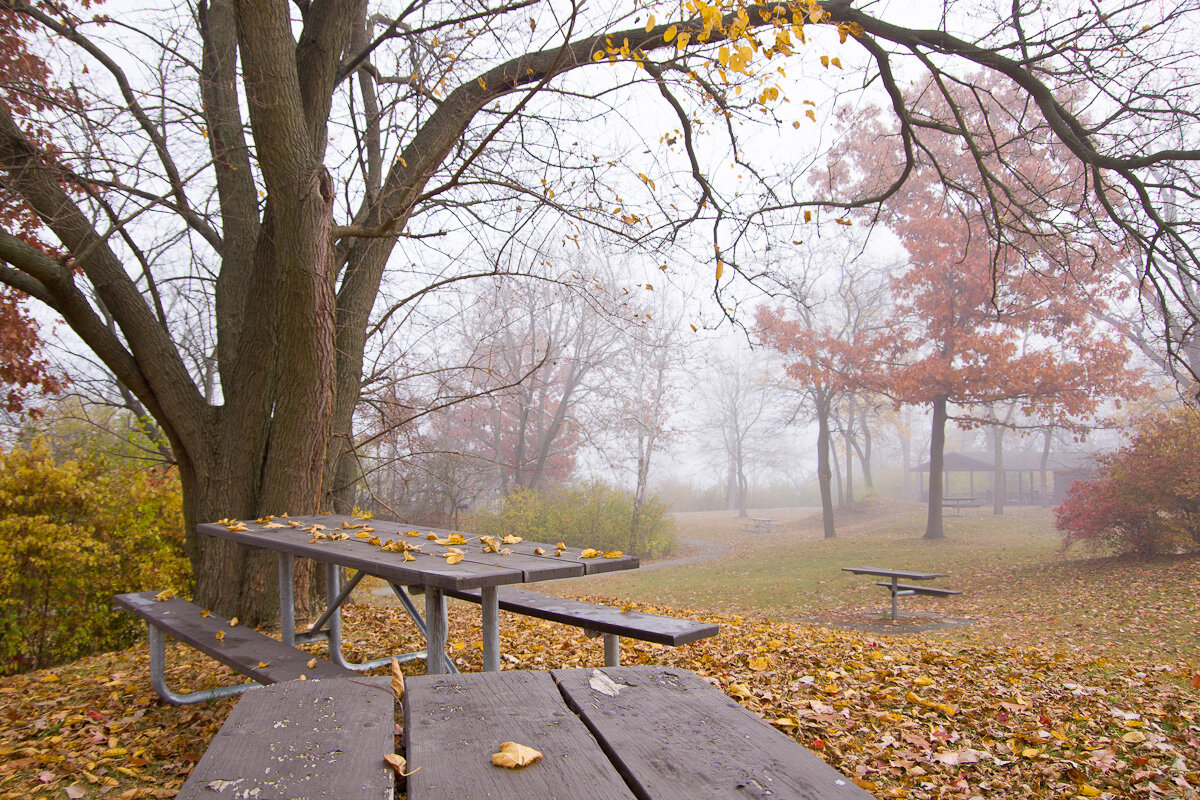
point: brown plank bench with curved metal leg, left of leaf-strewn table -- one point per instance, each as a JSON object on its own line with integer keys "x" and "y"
{"x": 253, "y": 654}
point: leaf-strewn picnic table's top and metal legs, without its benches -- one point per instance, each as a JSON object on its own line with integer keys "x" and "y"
{"x": 351, "y": 543}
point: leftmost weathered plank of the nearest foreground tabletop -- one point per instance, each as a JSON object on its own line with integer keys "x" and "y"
{"x": 302, "y": 741}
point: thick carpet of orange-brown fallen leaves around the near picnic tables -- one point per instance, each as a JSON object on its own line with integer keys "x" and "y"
{"x": 905, "y": 717}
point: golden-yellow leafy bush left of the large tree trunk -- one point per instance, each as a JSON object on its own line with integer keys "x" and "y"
{"x": 73, "y": 534}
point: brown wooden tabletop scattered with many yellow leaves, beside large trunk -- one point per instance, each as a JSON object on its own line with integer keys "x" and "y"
{"x": 478, "y": 569}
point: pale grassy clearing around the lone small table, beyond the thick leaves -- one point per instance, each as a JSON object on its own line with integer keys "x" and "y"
{"x": 1018, "y": 586}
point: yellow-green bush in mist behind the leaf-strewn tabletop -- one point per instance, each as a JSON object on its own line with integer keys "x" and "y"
{"x": 592, "y": 515}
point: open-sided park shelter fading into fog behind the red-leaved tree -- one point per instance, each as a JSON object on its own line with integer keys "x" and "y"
{"x": 974, "y": 476}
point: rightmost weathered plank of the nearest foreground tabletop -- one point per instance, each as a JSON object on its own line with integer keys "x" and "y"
{"x": 676, "y": 738}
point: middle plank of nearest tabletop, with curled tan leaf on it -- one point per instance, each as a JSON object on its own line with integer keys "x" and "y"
{"x": 454, "y": 724}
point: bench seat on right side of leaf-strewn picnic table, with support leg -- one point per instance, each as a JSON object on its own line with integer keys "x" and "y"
{"x": 598, "y": 619}
